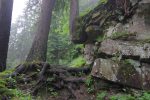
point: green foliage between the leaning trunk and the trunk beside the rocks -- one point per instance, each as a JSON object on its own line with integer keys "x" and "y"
{"x": 60, "y": 49}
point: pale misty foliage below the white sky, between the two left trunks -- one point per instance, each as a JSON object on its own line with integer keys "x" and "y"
{"x": 22, "y": 33}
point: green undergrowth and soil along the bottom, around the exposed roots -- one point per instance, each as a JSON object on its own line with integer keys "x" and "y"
{"x": 91, "y": 89}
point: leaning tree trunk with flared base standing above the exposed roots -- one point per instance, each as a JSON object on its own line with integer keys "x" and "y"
{"x": 39, "y": 47}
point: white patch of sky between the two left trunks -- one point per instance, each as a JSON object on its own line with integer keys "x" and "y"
{"x": 18, "y": 7}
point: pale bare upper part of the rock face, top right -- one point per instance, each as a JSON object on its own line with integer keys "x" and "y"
{"x": 139, "y": 23}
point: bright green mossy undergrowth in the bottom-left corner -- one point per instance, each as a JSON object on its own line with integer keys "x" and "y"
{"x": 8, "y": 88}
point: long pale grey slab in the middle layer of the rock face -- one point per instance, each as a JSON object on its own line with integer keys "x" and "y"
{"x": 126, "y": 49}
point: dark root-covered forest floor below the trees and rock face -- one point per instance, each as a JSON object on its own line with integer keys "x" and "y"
{"x": 52, "y": 82}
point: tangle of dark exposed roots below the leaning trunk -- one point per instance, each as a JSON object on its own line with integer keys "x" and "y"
{"x": 56, "y": 76}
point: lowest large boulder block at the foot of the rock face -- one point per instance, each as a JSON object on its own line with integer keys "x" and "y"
{"x": 129, "y": 72}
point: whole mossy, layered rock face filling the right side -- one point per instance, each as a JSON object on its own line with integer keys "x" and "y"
{"x": 119, "y": 44}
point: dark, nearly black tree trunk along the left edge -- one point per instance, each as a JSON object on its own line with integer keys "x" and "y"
{"x": 5, "y": 24}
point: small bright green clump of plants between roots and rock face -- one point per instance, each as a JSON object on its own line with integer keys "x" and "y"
{"x": 78, "y": 62}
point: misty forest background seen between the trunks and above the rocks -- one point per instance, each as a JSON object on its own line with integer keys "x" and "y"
{"x": 24, "y": 22}
